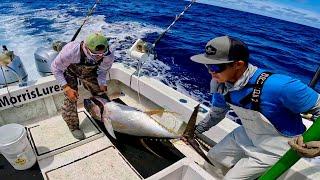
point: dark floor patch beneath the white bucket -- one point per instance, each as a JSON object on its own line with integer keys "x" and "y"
{"x": 7, "y": 172}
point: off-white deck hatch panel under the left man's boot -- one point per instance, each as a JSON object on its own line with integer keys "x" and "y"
{"x": 52, "y": 136}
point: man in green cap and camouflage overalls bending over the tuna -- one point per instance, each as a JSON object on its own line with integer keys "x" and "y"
{"x": 89, "y": 61}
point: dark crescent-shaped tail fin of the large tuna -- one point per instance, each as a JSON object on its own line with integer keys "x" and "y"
{"x": 189, "y": 134}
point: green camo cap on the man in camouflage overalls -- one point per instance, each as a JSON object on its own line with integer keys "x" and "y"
{"x": 96, "y": 39}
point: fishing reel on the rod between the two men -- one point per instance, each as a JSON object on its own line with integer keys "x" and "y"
{"x": 142, "y": 51}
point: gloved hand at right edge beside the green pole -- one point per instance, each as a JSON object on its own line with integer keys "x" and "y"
{"x": 309, "y": 149}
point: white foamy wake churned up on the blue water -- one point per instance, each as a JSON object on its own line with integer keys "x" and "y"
{"x": 19, "y": 35}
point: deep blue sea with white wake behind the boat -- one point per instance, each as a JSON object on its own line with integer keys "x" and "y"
{"x": 276, "y": 45}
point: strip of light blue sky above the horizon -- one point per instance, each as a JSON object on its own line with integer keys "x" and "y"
{"x": 305, "y": 12}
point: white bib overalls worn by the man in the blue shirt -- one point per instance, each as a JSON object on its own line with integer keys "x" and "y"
{"x": 253, "y": 147}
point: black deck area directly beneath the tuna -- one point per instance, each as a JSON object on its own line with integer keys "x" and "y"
{"x": 143, "y": 160}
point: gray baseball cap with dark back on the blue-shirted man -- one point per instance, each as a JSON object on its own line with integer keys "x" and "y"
{"x": 223, "y": 50}
